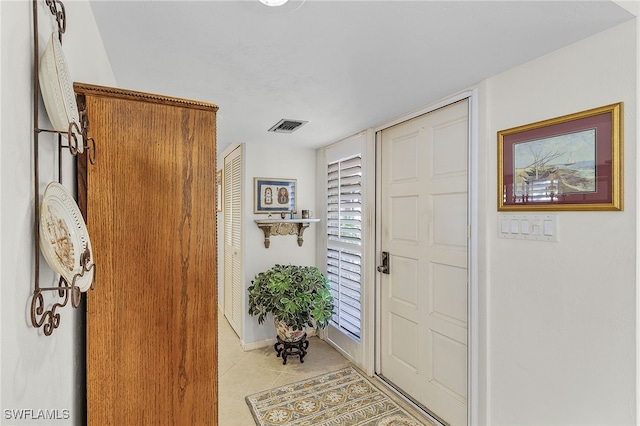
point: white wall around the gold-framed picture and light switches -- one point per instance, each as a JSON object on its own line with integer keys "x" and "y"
{"x": 559, "y": 318}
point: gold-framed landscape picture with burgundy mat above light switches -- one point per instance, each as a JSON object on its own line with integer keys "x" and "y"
{"x": 573, "y": 162}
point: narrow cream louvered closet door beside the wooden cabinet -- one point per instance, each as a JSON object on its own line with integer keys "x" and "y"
{"x": 233, "y": 288}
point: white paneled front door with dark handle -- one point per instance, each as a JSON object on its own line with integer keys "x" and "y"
{"x": 423, "y": 299}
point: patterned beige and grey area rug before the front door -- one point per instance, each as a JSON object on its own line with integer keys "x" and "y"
{"x": 343, "y": 397}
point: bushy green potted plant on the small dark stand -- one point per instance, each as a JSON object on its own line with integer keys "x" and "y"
{"x": 296, "y": 296}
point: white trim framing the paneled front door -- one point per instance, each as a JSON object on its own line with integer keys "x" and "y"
{"x": 472, "y": 220}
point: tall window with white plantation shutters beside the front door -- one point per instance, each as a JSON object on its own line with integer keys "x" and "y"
{"x": 344, "y": 241}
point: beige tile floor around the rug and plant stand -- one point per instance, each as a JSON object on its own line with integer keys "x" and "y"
{"x": 244, "y": 373}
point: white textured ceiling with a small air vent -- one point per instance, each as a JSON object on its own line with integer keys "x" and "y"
{"x": 342, "y": 65}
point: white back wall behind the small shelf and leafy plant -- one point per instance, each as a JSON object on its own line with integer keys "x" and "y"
{"x": 283, "y": 161}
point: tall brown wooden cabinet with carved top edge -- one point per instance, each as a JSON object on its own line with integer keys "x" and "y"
{"x": 150, "y": 207}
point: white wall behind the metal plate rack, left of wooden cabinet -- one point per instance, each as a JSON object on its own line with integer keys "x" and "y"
{"x": 37, "y": 372}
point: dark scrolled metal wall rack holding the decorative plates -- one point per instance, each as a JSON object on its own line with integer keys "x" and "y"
{"x": 43, "y": 315}
